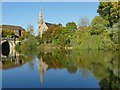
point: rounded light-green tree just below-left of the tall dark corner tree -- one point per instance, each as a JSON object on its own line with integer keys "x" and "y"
{"x": 98, "y": 25}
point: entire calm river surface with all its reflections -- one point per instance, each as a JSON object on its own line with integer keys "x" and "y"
{"x": 61, "y": 69}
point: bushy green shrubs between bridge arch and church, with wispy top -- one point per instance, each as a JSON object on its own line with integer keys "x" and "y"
{"x": 28, "y": 41}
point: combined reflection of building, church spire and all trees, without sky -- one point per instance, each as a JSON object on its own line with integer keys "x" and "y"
{"x": 104, "y": 65}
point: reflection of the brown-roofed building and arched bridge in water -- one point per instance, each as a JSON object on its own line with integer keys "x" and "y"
{"x": 13, "y": 59}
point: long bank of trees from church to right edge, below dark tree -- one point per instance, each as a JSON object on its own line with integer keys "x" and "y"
{"x": 97, "y": 35}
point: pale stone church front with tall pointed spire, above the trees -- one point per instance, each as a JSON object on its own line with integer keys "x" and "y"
{"x": 42, "y": 27}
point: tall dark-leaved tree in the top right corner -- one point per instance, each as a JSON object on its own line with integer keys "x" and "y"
{"x": 109, "y": 11}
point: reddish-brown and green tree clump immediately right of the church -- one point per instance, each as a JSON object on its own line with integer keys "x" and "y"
{"x": 58, "y": 35}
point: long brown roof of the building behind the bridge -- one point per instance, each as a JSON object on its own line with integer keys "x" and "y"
{"x": 12, "y": 27}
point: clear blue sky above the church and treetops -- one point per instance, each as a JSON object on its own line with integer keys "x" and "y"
{"x": 25, "y": 13}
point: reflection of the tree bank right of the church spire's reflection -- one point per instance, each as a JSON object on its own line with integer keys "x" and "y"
{"x": 103, "y": 65}
